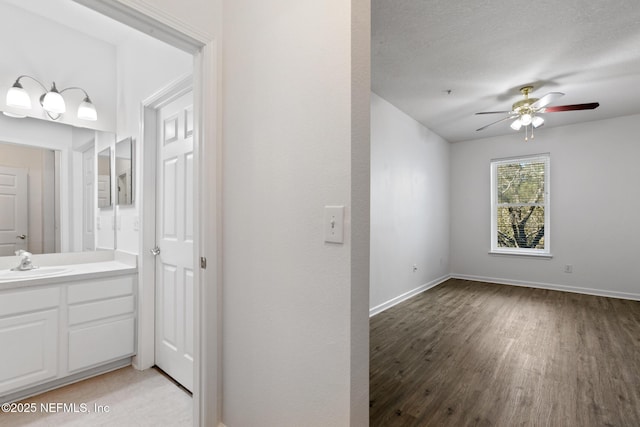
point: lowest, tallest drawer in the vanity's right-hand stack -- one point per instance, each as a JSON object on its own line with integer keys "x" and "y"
{"x": 97, "y": 344}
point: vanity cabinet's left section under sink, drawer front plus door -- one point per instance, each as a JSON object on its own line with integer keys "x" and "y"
{"x": 28, "y": 337}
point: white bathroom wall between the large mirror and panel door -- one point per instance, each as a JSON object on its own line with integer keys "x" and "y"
{"x": 144, "y": 66}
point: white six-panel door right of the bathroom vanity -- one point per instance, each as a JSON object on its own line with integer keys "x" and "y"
{"x": 174, "y": 238}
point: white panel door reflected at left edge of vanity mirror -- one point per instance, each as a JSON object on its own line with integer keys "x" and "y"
{"x": 13, "y": 210}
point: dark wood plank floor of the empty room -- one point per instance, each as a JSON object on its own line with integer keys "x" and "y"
{"x": 476, "y": 354}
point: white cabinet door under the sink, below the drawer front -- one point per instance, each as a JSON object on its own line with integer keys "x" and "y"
{"x": 29, "y": 349}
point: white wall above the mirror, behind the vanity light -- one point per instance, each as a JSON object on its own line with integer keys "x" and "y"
{"x": 38, "y": 47}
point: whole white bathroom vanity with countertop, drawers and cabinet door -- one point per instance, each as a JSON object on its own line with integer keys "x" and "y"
{"x": 73, "y": 317}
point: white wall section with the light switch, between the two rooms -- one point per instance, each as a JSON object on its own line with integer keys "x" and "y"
{"x": 288, "y": 333}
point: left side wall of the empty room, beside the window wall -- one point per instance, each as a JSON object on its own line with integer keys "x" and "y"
{"x": 409, "y": 206}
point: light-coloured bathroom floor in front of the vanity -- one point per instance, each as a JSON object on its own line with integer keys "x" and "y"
{"x": 125, "y": 397}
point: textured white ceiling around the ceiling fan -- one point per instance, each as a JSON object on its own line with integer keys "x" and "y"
{"x": 485, "y": 50}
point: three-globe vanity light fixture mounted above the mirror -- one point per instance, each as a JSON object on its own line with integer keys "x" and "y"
{"x": 51, "y": 100}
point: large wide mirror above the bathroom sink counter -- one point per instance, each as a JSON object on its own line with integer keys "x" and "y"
{"x": 61, "y": 168}
